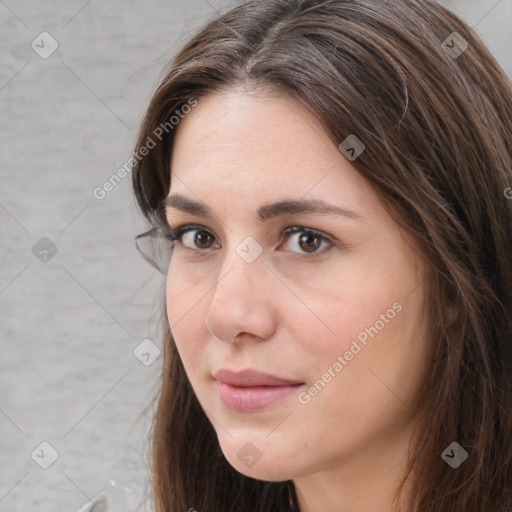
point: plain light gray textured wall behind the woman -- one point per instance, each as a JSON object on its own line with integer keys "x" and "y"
{"x": 71, "y": 319}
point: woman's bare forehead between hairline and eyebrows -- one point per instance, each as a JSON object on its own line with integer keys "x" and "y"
{"x": 242, "y": 146}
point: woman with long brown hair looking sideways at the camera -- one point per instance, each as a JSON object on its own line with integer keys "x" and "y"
{"x": 330, "y": 179}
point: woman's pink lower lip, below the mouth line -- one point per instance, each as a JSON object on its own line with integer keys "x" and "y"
{"x": 248, "y": 399}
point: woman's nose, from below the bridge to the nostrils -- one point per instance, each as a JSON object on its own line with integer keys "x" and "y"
{"x": 242, "y": 306}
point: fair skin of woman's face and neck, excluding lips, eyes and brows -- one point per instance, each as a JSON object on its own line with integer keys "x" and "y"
{"x": 291, "y": 313}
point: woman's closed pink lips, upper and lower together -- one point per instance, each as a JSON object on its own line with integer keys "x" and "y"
{"x": 251, "y": 390}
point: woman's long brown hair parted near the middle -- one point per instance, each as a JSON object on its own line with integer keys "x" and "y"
{"x": 436, "y": 119}
